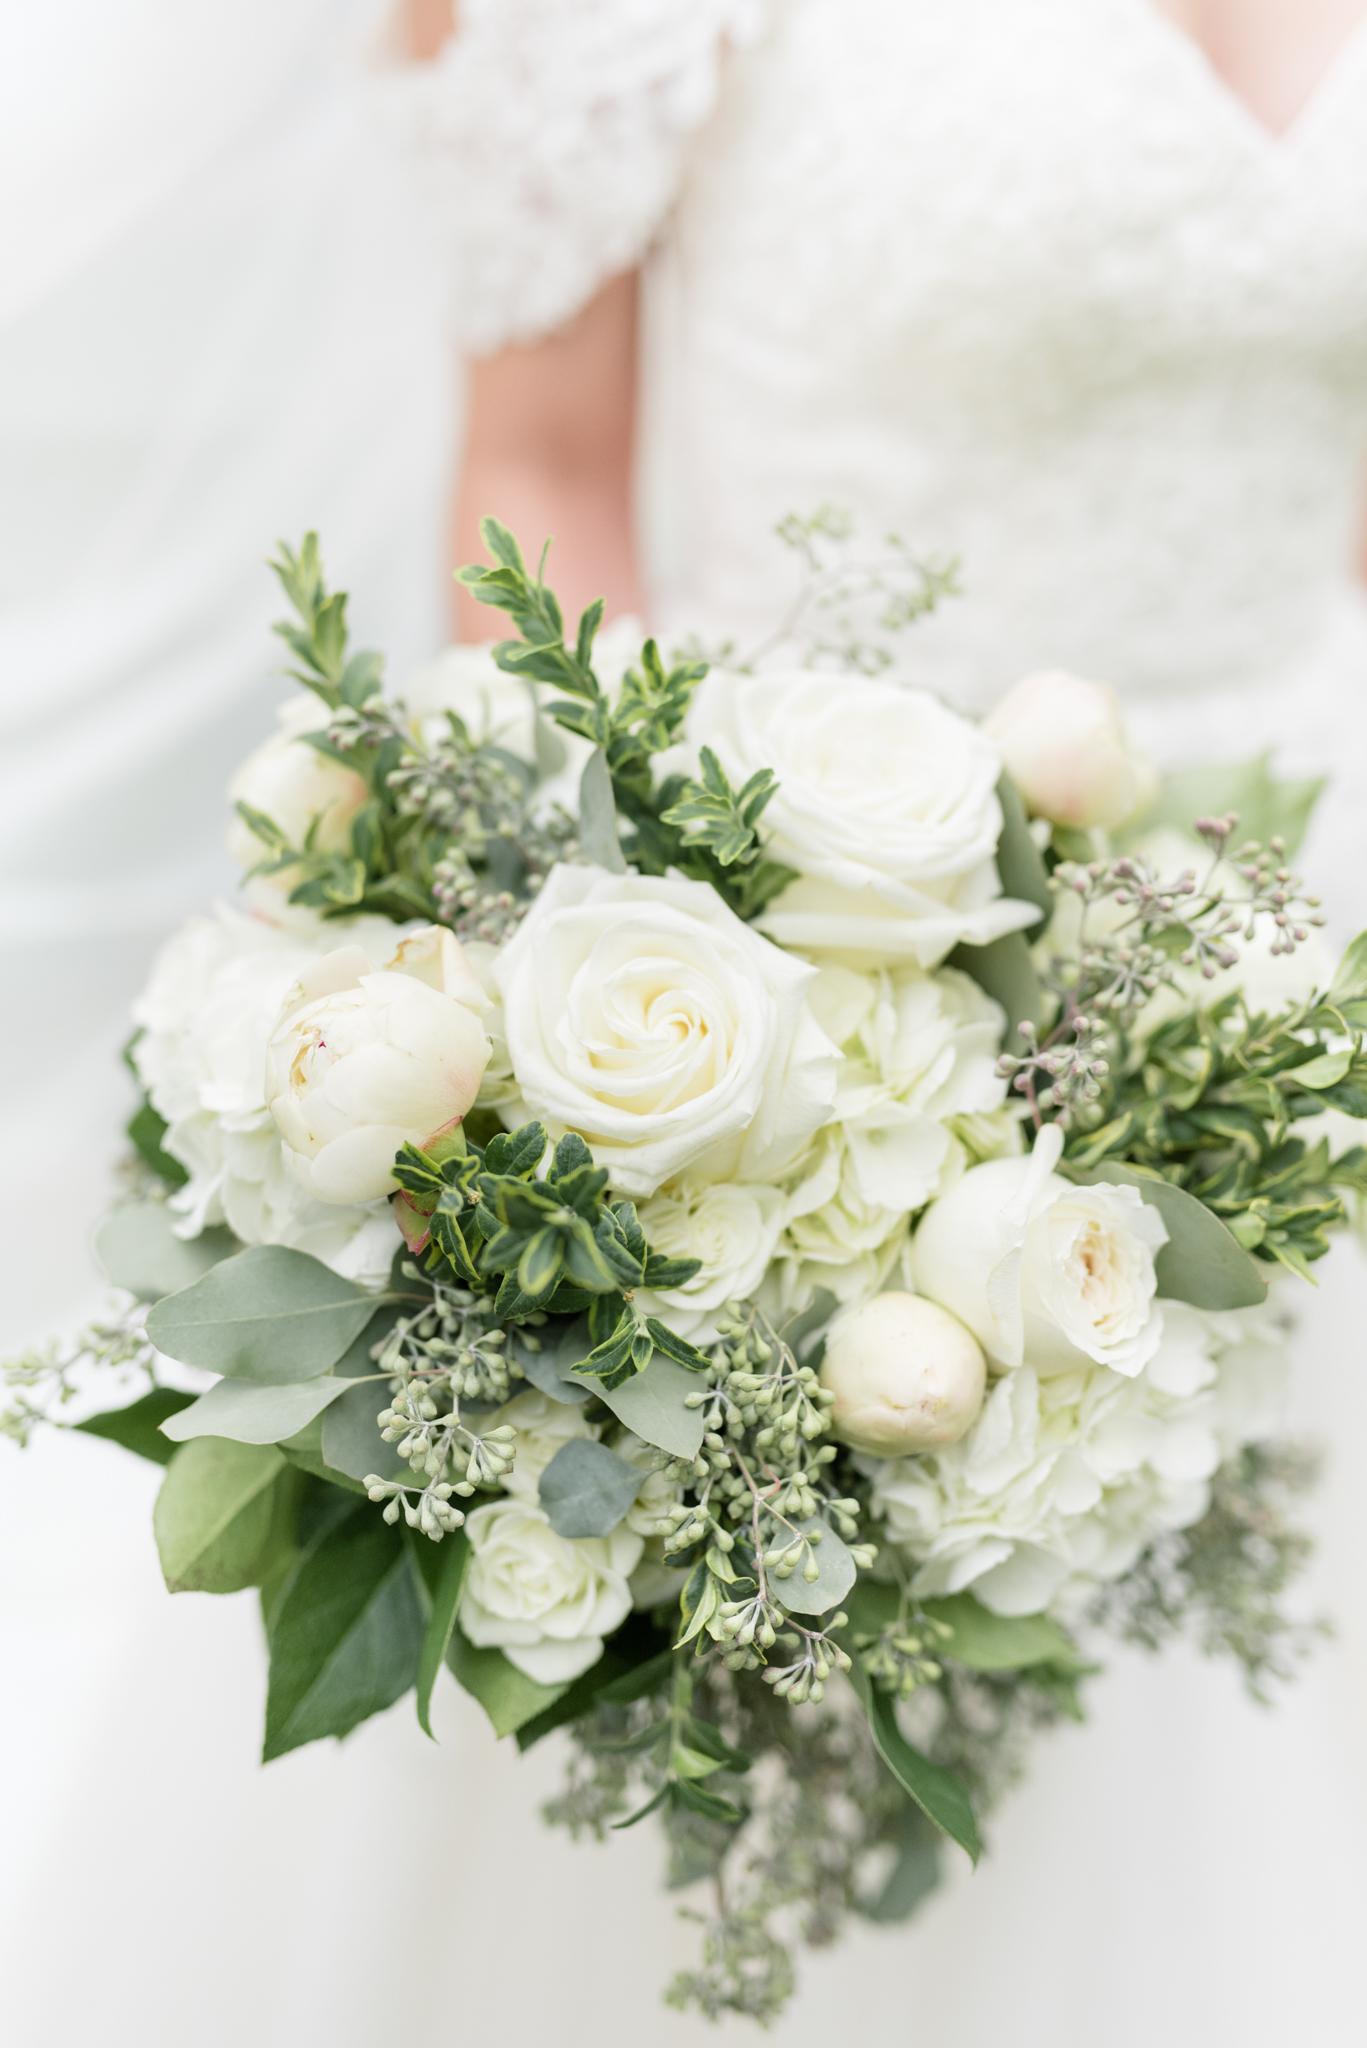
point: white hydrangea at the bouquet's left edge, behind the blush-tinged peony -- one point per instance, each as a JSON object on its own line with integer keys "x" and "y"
{"x": 206, "y": 1015}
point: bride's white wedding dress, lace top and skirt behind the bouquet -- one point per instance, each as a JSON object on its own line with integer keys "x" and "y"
{"x": 1024, "y": 282}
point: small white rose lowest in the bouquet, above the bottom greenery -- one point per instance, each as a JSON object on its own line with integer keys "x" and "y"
{"x": 544, "y": 1601}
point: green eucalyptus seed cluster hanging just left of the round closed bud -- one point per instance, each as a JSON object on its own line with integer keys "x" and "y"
{"x": 759, "y": 1502}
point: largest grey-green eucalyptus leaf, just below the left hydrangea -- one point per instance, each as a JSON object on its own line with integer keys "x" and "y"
{"x": 267, "y": 1316}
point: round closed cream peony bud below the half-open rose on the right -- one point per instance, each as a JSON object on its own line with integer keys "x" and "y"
{"x": 907, "y": 1377}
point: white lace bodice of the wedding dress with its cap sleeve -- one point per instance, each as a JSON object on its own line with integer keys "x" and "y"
{"x": 1018, "y": 278}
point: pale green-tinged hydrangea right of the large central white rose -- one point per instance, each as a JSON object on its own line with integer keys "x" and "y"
{"x": 917, "y": 1103}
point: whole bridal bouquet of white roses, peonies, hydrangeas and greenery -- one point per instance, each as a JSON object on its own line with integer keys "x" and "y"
{"x": 731, "y": 1211}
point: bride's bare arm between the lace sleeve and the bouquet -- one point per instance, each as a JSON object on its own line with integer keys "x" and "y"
{"x": 548, "y": 452}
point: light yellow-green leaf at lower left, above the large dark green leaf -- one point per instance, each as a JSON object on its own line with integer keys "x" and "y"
{"x": 224, "y": 1517}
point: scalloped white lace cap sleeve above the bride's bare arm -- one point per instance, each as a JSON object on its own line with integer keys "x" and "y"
{"x": 548, "y": 142}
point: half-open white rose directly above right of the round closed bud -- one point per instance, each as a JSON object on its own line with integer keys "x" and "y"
{"x": 1044, "y": 1273}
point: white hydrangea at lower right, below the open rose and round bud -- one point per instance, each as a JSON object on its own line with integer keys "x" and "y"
{"x": 1063, "y": 1482}
